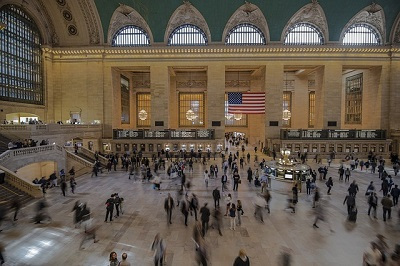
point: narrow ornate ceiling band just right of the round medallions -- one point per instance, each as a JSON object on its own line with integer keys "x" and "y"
{"x": 92, "y": 24}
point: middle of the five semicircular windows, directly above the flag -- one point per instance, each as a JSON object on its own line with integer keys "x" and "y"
{"x": 245, "y": 34}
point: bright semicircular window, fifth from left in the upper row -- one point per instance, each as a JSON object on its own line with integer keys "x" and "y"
{"x": 361, "y": 34}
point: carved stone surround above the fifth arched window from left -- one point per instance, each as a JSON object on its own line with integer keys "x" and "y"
{"x": 372, "y": 15}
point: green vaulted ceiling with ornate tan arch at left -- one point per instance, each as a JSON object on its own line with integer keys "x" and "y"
{"x": 86, "y": 22}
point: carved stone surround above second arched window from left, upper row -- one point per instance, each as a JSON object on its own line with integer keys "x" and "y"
{"x": 186, "y": 14}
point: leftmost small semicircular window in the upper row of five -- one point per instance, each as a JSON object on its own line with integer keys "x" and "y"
{"x": 130, "y": 36}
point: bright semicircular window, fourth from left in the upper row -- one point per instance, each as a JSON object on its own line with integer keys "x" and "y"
{"x": 303, "y": 34}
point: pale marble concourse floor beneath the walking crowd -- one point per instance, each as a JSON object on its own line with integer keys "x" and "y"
{"x": 57, "y": 242}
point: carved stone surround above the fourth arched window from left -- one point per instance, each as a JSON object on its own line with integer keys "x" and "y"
{"x": 311, "y": 13}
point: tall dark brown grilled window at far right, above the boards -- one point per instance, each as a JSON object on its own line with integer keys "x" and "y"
{"x": 353, "y": 99}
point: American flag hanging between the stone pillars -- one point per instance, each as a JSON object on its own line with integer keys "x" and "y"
{"x": 246, "y": 102}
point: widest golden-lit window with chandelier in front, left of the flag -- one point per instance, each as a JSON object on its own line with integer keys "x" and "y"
{"x": 195, "y": 102}
